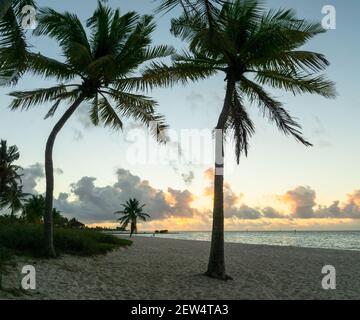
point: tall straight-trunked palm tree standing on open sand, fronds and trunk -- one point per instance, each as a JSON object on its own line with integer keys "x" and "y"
{"x": 253, "y": 48}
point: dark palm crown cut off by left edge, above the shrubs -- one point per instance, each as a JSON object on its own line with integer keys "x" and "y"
{"x": 9, "y": 172}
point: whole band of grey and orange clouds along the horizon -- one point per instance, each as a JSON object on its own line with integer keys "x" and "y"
{"x": 96, "y": 204}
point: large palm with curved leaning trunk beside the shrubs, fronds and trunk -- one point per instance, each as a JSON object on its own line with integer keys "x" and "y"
{"x": 100, "y": 71}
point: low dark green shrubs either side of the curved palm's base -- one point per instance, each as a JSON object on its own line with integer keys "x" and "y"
{"x": 28, "y": 239}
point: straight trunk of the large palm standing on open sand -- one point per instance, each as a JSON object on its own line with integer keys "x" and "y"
{"x": 216, "y": 265}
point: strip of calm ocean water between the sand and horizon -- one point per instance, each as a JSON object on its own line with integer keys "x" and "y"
{"x": 343, "y": 240}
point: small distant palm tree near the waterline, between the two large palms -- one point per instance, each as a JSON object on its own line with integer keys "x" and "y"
{"x": 132, "y": 211}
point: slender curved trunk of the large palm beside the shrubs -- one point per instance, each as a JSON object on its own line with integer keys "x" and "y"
{"x": 49, "y": 173}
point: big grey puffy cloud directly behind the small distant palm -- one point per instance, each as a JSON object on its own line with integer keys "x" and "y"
{"x": 91, "y": 203}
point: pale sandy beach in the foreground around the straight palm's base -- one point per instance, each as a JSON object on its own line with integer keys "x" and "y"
{"x": 172, "y": 269}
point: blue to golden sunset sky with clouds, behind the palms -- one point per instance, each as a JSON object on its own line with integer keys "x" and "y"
{"x": 280, "y": 185}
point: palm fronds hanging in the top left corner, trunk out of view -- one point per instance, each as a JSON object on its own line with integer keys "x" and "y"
{"x": 13, "y": 44}
